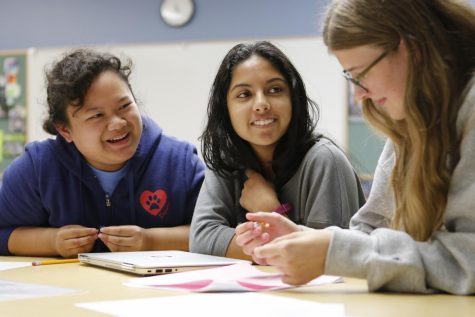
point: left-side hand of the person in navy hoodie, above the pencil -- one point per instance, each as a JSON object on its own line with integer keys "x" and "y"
{"x": 71, "y": 240}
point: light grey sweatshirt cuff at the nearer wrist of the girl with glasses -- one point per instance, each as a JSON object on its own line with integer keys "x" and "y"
{"x": 348, "y": 253}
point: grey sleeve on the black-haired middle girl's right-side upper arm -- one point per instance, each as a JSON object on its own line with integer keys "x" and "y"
{"x": 325, "y": 190}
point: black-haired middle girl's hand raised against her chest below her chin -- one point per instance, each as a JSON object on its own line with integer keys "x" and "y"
{"x": 258, "y": 194}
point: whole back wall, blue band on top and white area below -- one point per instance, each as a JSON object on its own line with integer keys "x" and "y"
{"x": 174, "y": 66}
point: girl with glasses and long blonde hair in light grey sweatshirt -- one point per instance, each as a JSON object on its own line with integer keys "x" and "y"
{"x": 416, "y": 233}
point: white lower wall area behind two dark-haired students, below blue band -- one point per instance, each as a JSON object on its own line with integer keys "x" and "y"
{"x": 173, "y": 80}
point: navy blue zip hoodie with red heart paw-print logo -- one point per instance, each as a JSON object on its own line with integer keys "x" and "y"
{"x": 52, "y": 185}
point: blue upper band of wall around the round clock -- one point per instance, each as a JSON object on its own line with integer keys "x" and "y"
{"x": 63, "y": 23}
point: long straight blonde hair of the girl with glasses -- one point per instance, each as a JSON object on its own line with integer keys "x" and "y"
{"x": 440, "y": 40}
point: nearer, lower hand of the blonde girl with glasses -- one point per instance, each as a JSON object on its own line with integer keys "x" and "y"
{"x": 300, "y": 256}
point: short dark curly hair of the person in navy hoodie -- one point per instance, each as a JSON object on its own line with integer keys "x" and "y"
{"x": 69, "y": 79}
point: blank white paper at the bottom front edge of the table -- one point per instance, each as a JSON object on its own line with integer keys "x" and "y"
{"x": 216, "y": 305}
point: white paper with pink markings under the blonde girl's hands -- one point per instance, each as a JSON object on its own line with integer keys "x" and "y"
{"x": 240, "y": 277}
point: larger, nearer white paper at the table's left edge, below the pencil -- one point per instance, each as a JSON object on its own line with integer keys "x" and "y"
{"x": 13, "y": 290}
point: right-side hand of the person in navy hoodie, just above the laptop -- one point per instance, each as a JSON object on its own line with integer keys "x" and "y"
{"x": 124, "y": 238}
